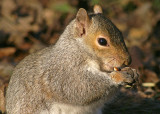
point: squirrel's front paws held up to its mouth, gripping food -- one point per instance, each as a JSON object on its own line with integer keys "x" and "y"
{"x": 126, "y": 76}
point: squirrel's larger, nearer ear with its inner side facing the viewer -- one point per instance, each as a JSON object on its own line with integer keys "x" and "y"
{"x": 82, "y": 22}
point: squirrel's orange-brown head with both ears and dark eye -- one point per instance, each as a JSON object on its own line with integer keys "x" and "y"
{"x": 103, "y": 38}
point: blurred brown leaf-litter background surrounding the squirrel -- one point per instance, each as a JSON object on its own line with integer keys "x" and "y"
{"x": 29, "y": 25}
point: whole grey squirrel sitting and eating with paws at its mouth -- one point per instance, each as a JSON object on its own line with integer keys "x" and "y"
{"x": 75, "y": 75}
